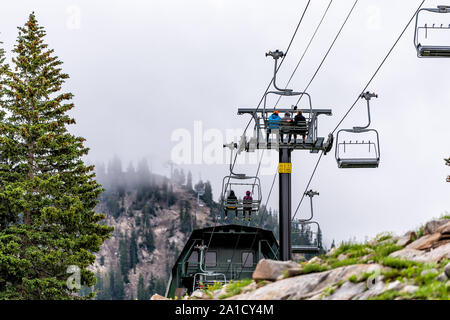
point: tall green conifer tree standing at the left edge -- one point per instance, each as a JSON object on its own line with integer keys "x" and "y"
{"x": 47, "y": 193}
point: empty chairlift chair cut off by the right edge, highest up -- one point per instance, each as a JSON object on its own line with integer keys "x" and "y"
{"x": 432, "y": 51}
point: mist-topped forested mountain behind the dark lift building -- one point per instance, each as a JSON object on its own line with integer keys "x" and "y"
{"x": 153, "y": 217}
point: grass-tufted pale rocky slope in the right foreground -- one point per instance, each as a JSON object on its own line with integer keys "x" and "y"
{"x": 414, "y": 266}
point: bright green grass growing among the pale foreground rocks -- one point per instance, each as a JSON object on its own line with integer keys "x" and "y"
{"x": 397, "y": 269}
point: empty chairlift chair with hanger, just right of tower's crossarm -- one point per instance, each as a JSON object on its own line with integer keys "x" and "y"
{"x": 344, "y": 156}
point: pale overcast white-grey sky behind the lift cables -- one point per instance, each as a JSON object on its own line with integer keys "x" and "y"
{"x": 140, "y": 70}
